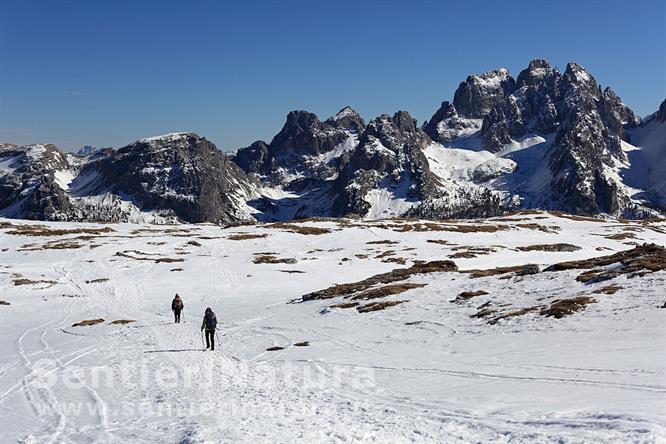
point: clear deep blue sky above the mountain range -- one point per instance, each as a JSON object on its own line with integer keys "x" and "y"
{"x": 109, "y": 72}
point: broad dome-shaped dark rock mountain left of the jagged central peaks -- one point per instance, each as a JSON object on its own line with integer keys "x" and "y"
{"x": 181, "y": 174}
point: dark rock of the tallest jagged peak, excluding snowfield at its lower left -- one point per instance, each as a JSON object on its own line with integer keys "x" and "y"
{"x": 586, "y": 124}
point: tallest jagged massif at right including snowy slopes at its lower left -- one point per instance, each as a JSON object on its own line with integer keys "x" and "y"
{"x": 562, "y": 130}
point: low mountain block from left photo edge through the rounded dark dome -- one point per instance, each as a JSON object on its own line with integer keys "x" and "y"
{"x": 178, "y": 176}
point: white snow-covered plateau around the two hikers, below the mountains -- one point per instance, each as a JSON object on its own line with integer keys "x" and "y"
{"x": 420, "y": 371}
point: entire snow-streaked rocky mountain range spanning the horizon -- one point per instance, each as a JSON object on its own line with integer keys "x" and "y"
{"x": 545, "y": 139}
